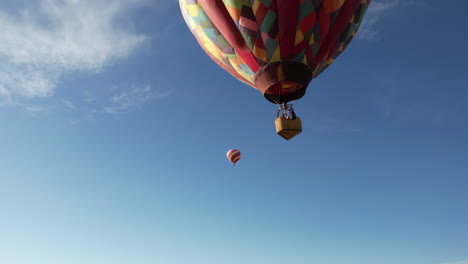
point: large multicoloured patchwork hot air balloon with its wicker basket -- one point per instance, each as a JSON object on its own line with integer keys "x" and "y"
{"x": 276, "y": 46}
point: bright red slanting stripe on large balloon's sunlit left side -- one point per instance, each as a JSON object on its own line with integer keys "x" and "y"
{"x": 218, "y": 14}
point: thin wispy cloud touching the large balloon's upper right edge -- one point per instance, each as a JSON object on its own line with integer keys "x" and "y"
{"x": 378, "y": 10}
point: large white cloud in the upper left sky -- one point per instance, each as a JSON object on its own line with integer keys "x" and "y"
{"x": 43, "y": 42}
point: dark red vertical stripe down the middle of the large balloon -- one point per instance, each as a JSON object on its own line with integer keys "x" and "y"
{"x": 287, "y": 25}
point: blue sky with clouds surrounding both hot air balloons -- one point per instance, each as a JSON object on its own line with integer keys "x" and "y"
{"x": 115, "y": 127}
